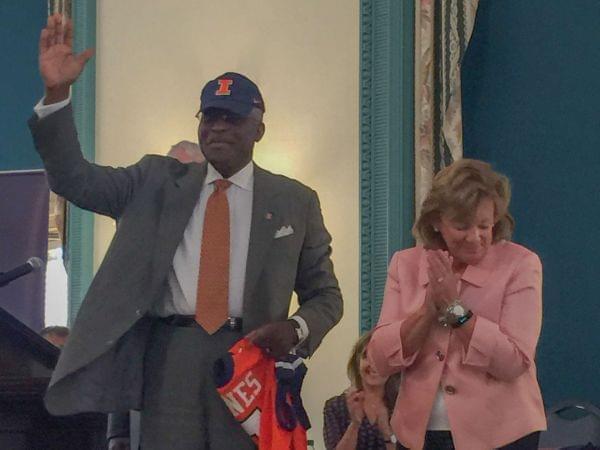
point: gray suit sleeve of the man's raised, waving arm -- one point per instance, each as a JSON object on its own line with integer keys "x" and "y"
{"x": 100, "y": 189}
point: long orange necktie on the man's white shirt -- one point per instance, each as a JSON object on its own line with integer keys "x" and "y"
{"x": 213, "y": 280}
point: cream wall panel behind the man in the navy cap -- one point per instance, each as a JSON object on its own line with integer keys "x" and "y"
{"x": 153, "y": 59}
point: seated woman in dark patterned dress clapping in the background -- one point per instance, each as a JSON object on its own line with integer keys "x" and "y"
{"x": 359, "y": 418}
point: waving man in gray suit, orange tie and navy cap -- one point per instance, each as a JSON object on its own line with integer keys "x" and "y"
{"x": 137, "y": 342}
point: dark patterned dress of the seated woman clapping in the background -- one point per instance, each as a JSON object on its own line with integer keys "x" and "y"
{"x": 337, "y": 420}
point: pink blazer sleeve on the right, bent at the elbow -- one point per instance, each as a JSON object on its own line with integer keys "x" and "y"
{"x": 506, "y": 349}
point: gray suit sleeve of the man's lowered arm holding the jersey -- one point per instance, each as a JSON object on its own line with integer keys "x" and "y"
{"x": 317, "y": 287}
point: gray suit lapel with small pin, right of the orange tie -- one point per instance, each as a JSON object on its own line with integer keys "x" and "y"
{"x": 265, "y": 217}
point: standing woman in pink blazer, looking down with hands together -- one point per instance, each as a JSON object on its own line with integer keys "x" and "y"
{"x": 461, "y": 318}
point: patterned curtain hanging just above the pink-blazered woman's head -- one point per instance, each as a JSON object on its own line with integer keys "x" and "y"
{"x": 443, "y": 30}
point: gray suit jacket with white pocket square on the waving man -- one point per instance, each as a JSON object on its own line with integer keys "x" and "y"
{"x": 100, "y": 368}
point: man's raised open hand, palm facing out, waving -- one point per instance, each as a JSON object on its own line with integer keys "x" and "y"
{"x": 59, "y": 66}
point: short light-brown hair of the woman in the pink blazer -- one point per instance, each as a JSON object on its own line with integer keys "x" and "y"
{"x": 457, "y": 191}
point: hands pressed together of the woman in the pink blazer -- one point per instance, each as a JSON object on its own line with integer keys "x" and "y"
{"x": 442, "y": 289}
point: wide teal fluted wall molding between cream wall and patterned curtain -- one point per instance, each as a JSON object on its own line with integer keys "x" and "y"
{"x": 386, "y": 143}
